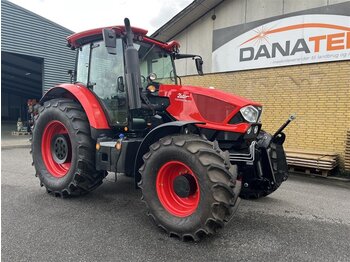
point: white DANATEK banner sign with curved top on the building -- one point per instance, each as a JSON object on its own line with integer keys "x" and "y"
{"x": 294, "y": 40}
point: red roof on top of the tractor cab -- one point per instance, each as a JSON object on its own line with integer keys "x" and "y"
{"x": 78, "y": 39}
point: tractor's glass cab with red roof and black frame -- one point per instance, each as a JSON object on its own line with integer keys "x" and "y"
{"x": 102, "y": 68}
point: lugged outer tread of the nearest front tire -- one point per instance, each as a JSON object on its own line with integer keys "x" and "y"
{"x": 222, "y": 187}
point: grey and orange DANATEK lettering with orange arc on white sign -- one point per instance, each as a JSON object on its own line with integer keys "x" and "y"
{"x": 288, "y": 47}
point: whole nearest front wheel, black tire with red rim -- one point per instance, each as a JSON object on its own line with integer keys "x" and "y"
{"x": 189, "y": 186}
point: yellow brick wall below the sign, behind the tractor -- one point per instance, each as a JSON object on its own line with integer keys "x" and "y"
{"x": 318, "y": 93}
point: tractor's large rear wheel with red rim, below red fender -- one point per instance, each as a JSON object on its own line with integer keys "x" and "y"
{"x": 81, "y": 177}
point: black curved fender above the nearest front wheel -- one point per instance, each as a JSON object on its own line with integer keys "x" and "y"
{"x": 176, "y": 127}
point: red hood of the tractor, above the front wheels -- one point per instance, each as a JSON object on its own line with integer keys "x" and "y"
{"x": 211, "y": 106}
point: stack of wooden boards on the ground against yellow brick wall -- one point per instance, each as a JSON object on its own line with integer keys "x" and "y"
{"x": 311, "y": 162}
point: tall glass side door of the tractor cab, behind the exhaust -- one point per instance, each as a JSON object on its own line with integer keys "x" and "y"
{"x": 103, "y": 73}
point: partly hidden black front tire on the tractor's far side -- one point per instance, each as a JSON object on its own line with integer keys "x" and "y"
{"x": 264, "y": 187}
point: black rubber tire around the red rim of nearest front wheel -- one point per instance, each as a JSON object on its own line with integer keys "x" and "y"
{"x": 217, "y": 185}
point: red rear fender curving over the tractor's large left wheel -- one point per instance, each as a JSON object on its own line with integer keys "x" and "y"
{"x": 92, "y": 107}
